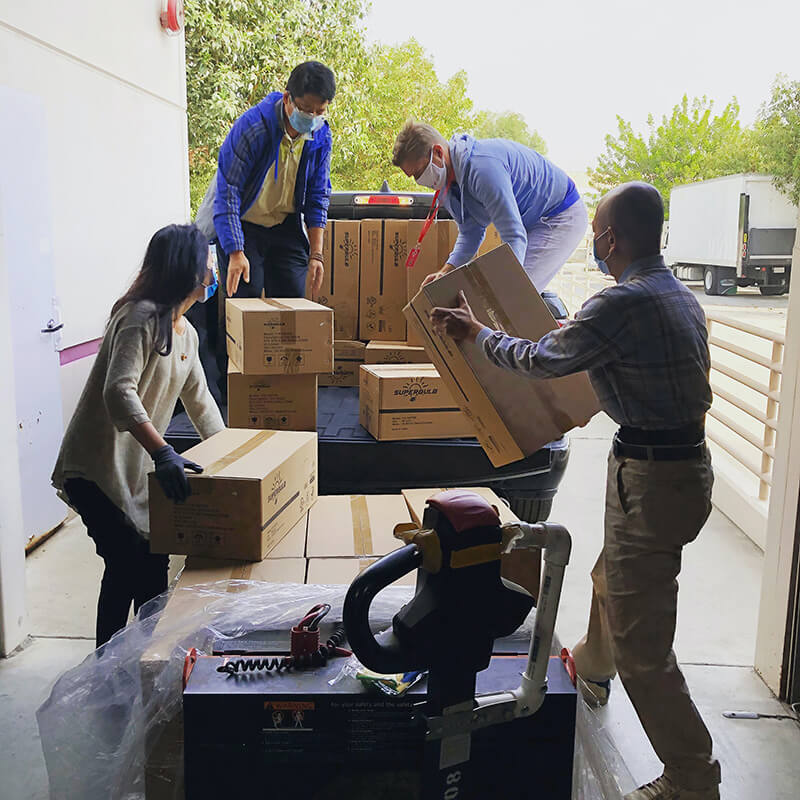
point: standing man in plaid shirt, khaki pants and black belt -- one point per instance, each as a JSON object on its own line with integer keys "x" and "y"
{"x": 644, "y": 345}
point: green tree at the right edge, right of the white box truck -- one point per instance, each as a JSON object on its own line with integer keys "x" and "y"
{"x": 778, "y": 132}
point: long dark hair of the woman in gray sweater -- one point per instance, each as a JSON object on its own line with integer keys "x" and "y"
{"x": 174, "y": 263}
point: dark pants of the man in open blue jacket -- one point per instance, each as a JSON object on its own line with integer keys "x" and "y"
{"x": 278, "y": 259}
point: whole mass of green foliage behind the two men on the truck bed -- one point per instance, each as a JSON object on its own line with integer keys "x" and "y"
{"x": 237, "y": 51}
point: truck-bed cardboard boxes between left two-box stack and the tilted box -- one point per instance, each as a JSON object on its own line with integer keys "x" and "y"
{"x": 367, "y": 285}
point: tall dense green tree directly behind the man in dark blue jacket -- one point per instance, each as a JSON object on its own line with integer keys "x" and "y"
{"x": 237, "y": 51}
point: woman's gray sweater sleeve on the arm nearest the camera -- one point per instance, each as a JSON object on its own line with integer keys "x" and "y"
{"x": 132, "y": 342}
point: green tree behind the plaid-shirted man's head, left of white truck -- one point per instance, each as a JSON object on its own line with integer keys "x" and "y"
{"x": 691, "y": 144}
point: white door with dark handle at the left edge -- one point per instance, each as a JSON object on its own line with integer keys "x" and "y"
{"x": 26, "y": 219}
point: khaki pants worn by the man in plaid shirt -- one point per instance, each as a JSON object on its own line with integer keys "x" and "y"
{"x": 653, "y": 509}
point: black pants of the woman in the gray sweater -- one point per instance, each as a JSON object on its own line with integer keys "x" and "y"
{"x": 133, "y": 574}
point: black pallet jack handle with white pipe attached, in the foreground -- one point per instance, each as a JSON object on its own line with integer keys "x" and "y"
{"x": 460, "y": 607}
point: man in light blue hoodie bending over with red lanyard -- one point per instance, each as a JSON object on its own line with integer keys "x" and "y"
{"x": 533, "y": 204}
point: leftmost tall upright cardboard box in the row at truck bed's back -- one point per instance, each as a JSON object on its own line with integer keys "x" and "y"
{"x": 341, "y": 251}
